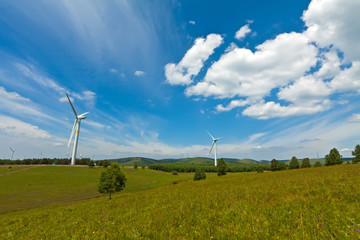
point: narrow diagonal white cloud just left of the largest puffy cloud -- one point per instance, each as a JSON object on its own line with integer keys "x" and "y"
{"x": 193, "y": 61}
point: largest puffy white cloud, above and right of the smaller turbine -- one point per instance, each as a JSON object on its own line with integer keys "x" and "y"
{"x": 243, "y": 73}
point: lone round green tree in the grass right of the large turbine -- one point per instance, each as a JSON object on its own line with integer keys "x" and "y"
{"x": 111, "y": 180}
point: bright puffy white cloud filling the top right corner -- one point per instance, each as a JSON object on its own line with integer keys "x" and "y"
{"x": 334, "y": 23}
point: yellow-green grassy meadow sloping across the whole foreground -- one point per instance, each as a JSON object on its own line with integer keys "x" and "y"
{"x": 311, "y": 203}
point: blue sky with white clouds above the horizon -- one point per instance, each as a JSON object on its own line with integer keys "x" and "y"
{"x": 275, "y": 79}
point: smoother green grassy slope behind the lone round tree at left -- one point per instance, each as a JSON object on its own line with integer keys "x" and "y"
{"x": 46, "y": 185}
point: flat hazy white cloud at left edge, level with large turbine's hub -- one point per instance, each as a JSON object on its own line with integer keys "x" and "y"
{"x": 15, "y": 127}
